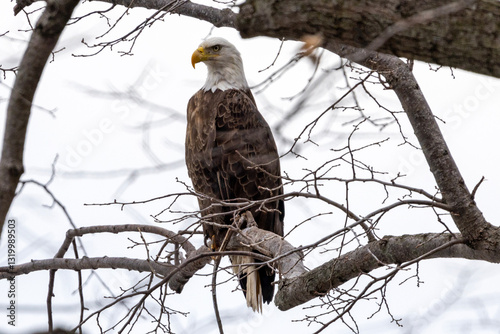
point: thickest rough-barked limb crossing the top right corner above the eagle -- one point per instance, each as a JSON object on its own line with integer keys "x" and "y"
{"x": 465, "y": 39}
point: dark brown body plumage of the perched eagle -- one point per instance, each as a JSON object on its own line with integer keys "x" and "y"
{"x": 231, "y": 154}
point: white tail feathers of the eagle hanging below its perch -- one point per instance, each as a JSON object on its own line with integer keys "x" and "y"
{"x": 253, "y": 289}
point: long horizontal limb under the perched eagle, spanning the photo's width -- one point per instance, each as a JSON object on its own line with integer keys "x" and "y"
{"x": 297, "y": 285}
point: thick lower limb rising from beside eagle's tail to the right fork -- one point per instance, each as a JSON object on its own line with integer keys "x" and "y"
{"x": 389, "y": 250}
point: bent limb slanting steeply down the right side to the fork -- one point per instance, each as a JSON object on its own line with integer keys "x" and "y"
{"x": 466, "y": 215}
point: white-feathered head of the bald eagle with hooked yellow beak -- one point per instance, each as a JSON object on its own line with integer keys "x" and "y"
{"x": 225, "y": 67}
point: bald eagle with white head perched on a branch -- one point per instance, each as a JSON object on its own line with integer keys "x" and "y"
{"x": 231, "y": 155}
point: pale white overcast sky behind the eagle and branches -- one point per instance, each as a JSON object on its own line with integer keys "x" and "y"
{"x": 105, "y": 135}
